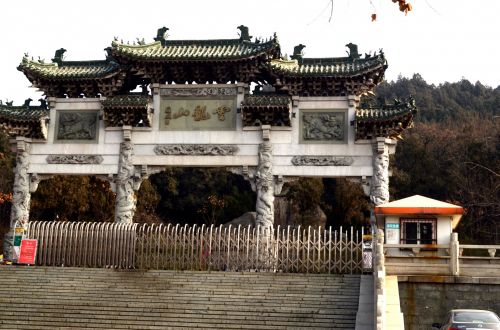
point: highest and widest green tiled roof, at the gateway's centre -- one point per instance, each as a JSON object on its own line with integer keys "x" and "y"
{"x": 178, "y": 50}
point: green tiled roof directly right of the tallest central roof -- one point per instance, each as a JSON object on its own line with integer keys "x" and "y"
{"x": 332, "y": 67}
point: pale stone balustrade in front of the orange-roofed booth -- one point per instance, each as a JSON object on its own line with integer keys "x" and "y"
{"x": 437, "y": 259}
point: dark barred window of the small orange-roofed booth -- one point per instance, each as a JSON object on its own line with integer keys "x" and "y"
{"x": 418, "y": 231}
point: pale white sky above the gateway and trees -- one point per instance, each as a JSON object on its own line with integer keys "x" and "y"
{"x": 442, "y": 40}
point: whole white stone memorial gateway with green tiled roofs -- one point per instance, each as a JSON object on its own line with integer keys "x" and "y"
{"x": 303, "y": 119}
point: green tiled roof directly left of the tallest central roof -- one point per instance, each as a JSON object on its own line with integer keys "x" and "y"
{"x": 69, "y": 69}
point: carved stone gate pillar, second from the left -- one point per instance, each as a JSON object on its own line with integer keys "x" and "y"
{"x": 126, "y": 201}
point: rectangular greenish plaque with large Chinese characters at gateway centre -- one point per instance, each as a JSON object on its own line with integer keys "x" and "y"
{"x": 198, "y": 113}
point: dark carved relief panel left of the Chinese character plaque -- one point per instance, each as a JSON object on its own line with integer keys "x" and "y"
{"x": 77, "y": 126}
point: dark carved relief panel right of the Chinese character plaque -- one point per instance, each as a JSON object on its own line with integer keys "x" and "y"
{"x": 326, "y": 126}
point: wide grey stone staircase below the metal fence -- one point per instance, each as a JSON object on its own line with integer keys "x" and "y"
{"x": 70, "y": 298}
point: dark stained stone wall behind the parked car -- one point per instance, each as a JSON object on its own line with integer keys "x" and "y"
{"x": 426, "y": 299}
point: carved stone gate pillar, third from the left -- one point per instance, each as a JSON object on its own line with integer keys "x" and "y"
{"x": 264, "y": 182}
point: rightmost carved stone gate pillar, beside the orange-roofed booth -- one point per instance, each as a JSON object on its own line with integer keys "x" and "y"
{"x": 379, "y": 186}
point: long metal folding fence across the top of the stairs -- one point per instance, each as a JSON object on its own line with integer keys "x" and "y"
{"x": 305, "y": 250}
